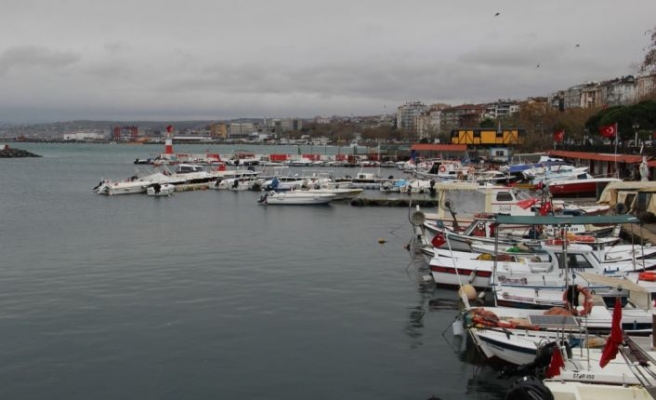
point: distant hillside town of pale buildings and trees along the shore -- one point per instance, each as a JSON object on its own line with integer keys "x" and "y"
{"x": 568, "y": 111}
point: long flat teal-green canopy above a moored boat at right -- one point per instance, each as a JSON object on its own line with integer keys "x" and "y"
{"x": 565, "y": 219}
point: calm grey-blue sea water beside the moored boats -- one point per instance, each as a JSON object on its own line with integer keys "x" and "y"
{"x": 208, "y": 295}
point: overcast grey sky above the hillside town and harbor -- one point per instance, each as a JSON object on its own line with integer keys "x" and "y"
{"x": 168, "y": 60}
